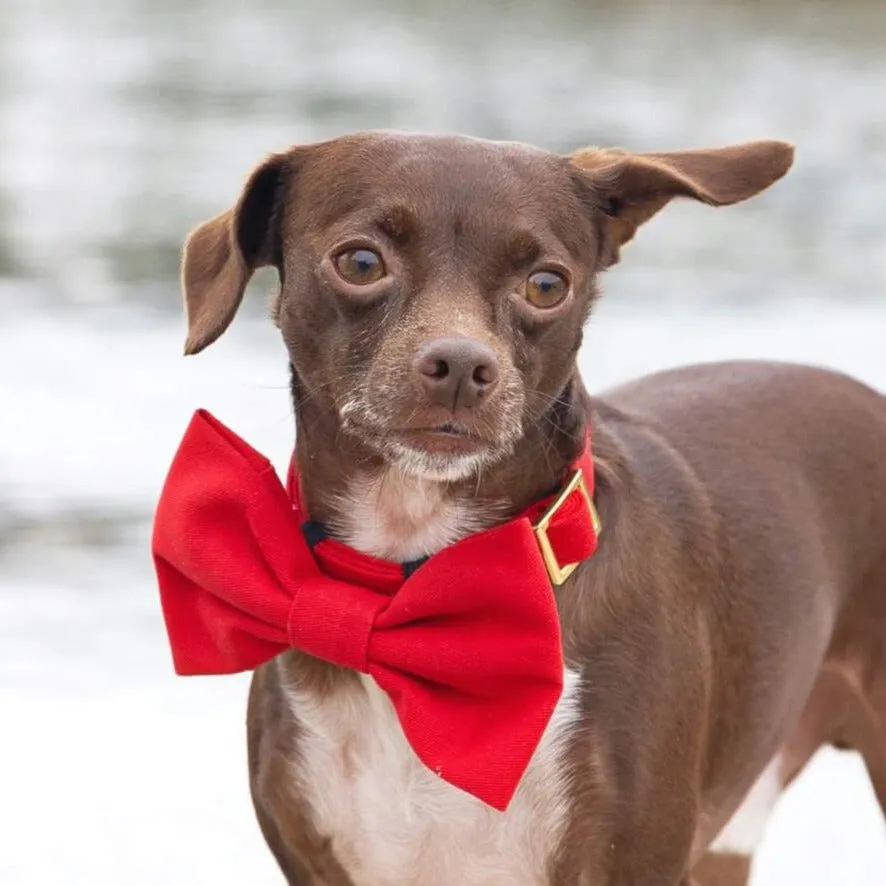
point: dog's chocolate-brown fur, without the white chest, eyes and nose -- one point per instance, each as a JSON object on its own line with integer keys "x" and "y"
{"x": 737, "y": 605}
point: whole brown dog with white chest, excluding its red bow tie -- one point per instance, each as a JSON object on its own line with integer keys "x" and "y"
{"x": 433, "y": 293}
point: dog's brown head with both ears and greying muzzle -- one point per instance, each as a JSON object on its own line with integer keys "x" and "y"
{"x": 433, "y": 289}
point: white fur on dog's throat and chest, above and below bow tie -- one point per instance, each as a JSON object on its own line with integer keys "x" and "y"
{"x": 390, "y": 820}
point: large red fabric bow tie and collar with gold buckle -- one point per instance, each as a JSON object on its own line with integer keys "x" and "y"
{"x": 466, "y": 645}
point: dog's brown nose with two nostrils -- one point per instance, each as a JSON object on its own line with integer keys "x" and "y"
{"x": 457, "y": 372}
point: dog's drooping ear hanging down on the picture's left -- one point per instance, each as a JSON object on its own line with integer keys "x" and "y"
{"x": 221, "y": 254}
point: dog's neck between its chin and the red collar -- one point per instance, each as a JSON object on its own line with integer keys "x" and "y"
{"x": 379, "y": 509}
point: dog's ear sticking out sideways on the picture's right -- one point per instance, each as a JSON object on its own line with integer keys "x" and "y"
{"x": 633, "y": 187}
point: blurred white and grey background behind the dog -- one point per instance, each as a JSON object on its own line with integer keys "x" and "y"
{"x": 123, "y": 124}
